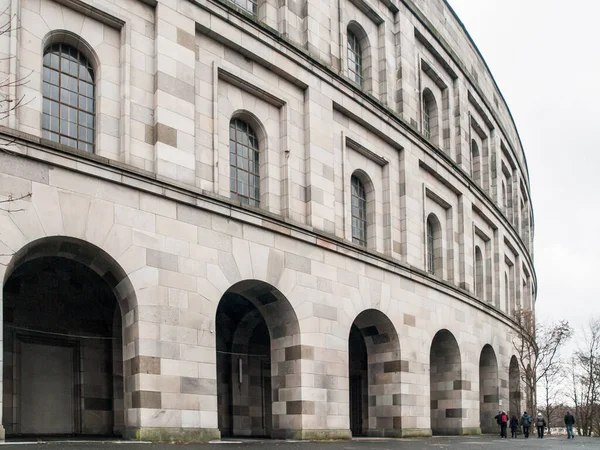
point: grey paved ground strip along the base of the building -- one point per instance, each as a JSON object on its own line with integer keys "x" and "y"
{"x": 481, "y": 442}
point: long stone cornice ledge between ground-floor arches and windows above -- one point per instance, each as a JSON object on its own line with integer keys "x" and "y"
{"x": 235, "y": 210}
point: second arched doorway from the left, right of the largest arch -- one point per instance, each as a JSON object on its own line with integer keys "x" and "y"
{"x": 257, "y": 355}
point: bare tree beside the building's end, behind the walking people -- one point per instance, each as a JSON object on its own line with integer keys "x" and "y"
{"x": 537, "y": 346}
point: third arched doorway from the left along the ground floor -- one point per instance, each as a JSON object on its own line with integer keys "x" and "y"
{"x": 374, "y": 370}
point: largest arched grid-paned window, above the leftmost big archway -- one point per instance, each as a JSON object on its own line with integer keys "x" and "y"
{"x": 68, "y": 98}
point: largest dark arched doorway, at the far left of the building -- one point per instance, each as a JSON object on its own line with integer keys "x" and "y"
{"x": 63, "y": 300}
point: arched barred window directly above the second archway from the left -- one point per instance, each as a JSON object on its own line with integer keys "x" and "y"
{"x": 243, "y": 163}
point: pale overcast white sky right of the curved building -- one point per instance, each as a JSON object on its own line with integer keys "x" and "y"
{"x": 544, "y": 57}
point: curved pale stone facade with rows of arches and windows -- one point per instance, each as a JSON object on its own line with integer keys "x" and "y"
{"x": 295, "y": 219}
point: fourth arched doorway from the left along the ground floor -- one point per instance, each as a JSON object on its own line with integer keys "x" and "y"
{"x": 445, "y": 385}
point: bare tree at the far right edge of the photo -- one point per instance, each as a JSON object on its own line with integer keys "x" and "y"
{"x": 586, "y": 381}
